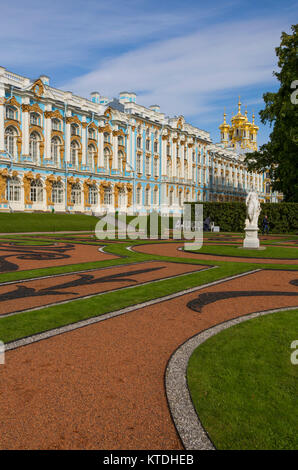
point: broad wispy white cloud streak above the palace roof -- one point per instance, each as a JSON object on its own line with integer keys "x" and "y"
{"x": 184, "y": 74}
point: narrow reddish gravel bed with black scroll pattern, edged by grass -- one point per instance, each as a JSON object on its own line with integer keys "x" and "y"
{"x": 23, "y": 295}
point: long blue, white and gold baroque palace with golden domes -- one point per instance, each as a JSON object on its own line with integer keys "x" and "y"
{"x": 62, "y": 152}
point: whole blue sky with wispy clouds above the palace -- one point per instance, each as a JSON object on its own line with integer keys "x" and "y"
{"x": 192, "y": 57}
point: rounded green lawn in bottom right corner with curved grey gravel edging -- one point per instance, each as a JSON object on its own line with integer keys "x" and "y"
{"x": 244, "y": 386}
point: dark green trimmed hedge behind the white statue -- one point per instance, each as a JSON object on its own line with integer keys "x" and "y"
{"x": 230, "y": 216}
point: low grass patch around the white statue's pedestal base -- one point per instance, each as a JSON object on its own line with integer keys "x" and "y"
{"x": 269, "y": 252}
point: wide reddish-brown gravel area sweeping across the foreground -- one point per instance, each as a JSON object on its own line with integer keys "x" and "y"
{"x": 102, "y": 386}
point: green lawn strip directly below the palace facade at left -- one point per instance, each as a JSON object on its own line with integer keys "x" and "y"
{"x": 45, "y": 222}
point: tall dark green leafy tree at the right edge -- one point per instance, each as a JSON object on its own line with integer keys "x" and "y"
{"x": 280, "y": 155}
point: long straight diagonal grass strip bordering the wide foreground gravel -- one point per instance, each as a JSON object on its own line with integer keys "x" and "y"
{"x": 28, "y": 323}
